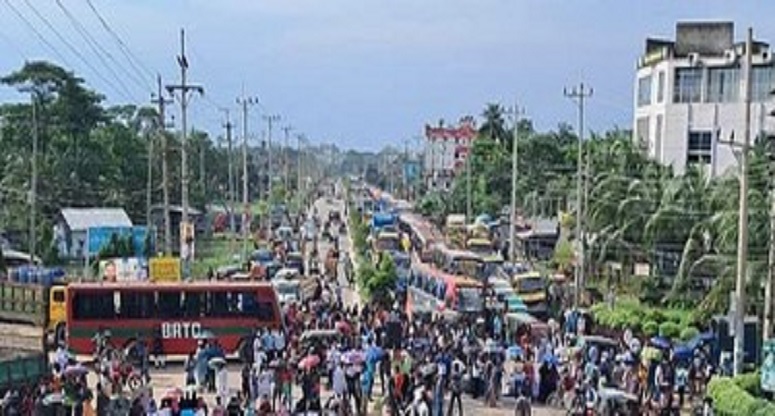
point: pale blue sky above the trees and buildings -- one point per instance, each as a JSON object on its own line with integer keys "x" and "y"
{"x": 362, "y": 74}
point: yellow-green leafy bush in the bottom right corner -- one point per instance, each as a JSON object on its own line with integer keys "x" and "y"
{"x": 730, "y": 398}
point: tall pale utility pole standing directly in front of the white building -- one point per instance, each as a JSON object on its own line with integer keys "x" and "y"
{"x": 742, "y": 227}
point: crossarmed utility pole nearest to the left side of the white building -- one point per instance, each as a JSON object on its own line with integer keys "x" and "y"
{"x": 579, "y": 96}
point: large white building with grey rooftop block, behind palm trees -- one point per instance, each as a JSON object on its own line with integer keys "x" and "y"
{"x": 689, "y": 96}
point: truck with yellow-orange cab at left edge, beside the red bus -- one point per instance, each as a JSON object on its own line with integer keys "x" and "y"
{"x": 35, "y": 297}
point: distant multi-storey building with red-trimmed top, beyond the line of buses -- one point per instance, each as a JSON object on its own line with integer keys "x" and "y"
{"x": 446, "y": 150}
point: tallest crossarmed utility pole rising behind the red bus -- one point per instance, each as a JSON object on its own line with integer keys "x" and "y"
{"x": 186, "y": 241}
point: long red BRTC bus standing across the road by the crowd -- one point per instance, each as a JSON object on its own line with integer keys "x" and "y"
{"x": 180, "y": 313}
